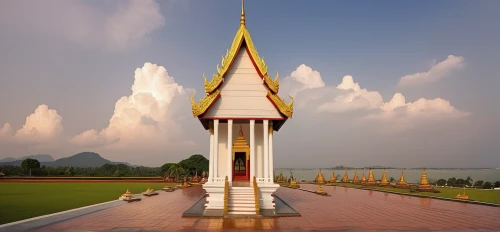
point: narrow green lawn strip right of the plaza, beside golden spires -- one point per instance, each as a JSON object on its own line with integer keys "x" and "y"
{"x": 490, "y": 196}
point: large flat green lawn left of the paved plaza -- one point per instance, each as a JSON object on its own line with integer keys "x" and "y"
{"x": 19, "y": 201}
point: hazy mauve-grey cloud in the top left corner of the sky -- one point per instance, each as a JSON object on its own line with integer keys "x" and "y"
{"x": 118, "y": 25}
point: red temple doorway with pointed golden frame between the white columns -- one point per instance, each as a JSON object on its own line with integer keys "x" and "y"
{"x": 241, "y": 158}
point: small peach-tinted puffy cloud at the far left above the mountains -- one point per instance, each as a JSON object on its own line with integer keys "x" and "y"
{"x": 44, "y": 125}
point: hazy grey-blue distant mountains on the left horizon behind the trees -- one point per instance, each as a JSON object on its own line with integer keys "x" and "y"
{"x": 83, "y": 159}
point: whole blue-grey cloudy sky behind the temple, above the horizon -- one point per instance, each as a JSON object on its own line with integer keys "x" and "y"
{"x": 404, "y": 84}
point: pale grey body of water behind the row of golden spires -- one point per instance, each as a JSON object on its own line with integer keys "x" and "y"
{"x": 411, "y": 175}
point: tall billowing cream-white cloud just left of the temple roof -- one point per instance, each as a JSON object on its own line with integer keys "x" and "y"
{"x": 146, "y": 117}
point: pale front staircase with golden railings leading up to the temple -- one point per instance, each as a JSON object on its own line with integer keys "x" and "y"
{"x": 241, "y": 201}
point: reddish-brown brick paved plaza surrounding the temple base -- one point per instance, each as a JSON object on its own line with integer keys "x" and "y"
{"x": 345, "y": 209}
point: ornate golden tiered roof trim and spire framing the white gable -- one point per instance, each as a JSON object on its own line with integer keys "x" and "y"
{"x": 242, "y": 38}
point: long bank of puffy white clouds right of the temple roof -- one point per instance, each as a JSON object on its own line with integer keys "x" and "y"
{"x": 314, "y": 96}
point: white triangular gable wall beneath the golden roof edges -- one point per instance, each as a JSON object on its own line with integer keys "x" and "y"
{"x": 243, "y": 94}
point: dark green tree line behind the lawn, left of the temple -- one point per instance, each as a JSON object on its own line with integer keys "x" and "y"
{"x": 186, "y": 167}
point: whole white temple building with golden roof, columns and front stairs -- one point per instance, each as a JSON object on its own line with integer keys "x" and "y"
{"x": 241, "y": 110}
